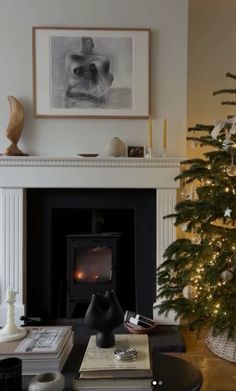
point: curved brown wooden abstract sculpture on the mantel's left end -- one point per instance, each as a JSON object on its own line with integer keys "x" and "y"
{"x": 15, "y": 127}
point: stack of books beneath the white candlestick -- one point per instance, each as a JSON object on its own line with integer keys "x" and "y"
{"x": 43, "y": 349}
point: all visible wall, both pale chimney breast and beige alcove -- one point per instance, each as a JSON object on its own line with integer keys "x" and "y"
{"x": 211, "y": 53}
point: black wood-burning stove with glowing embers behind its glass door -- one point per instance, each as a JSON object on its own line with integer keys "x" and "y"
{"x": 92, "y": 261}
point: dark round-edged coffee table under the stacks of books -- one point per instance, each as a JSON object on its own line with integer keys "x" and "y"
{"x": 170, "y": 373}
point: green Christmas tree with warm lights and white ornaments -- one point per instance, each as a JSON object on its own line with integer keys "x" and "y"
{"x": 197, "y": 278}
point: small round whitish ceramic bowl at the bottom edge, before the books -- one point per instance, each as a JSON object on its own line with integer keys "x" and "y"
{"x": 50, "y": 381}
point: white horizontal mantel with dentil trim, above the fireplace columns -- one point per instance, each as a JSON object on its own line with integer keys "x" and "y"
{"x": 88, "y": 172}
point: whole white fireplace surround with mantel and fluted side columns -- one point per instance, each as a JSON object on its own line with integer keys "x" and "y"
{"x": 19, "y": 173}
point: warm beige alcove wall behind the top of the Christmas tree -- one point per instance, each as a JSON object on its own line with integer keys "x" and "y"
{"x": 211, "y": 54}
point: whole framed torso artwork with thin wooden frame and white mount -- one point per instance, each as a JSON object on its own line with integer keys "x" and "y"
{"x": 91, "y": 72}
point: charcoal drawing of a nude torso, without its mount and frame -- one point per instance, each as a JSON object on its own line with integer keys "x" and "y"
{"x": 91, "y": 72}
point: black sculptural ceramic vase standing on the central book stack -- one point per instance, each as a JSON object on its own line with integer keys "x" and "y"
{"x": 104, "y": 314}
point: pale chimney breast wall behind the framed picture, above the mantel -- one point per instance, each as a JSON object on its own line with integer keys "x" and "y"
{"x": 168, "y": 21}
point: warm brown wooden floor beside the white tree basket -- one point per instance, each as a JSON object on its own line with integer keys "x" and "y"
{"x": 218, "y": 374}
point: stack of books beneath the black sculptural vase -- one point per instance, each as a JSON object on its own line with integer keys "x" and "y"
{"x": 101, "y": 369}
